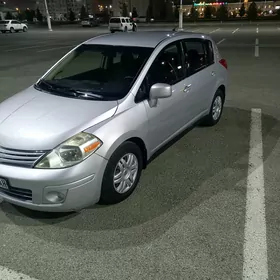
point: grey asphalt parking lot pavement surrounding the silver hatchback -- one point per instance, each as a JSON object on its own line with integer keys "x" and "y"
{"x": 206, "y": 208}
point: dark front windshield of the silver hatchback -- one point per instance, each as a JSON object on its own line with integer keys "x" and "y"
{"x": 96, "y": 72}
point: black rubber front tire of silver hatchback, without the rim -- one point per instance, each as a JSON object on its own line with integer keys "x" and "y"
{"x": 108, "y": 193}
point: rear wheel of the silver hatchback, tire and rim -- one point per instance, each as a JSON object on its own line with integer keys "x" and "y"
{"x": 216, "y": 109}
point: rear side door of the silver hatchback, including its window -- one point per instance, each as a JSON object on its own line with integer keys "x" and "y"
{"x": 200, "y": 70}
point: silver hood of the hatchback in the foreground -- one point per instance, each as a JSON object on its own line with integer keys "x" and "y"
{"x": 33, "y": 120}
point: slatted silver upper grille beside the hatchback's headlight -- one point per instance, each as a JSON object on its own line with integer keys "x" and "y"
{"x": 19, "y": 158}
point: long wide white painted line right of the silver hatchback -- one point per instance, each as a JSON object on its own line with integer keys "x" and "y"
{"x": 255, "y": 265}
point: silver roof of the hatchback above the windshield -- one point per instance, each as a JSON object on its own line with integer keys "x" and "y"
{"x": 149, "y": 39}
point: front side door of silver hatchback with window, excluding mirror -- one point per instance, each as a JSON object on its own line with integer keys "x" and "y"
{"x": 168, "y": 116}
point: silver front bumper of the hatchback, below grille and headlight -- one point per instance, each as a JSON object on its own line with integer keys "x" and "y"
{"x": 81, "y": 185}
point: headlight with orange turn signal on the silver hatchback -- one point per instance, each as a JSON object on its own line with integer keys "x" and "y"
{"x": 71, "y": 152}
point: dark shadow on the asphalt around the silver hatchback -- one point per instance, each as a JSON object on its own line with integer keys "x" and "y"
{"x": 191, "y": 170}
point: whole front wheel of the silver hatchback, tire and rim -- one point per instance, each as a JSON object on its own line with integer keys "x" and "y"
{"x": 122, "y": 173}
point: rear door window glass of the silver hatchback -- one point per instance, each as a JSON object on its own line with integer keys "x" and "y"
{"x": 195, "y": 56}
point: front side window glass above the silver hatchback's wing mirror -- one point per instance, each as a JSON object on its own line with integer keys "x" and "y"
{"x": 167, "y": 67}
